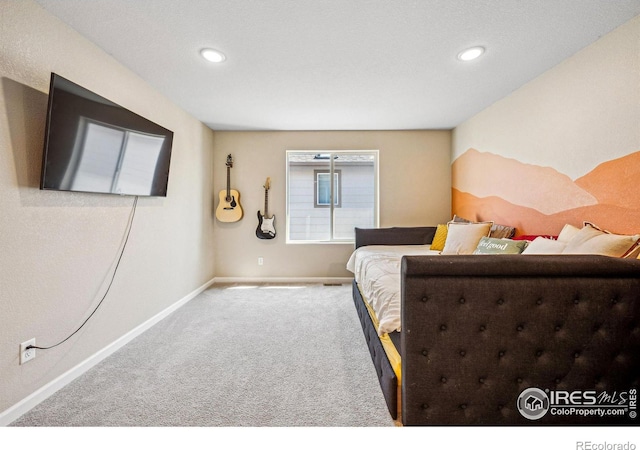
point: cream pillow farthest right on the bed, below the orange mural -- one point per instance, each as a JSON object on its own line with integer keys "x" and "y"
{"x": 591, "y": 240}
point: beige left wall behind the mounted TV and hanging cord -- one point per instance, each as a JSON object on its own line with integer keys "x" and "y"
{"x": 57, "y": 248}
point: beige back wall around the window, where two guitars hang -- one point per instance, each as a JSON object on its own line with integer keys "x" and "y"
{"x": 414, "y": 190}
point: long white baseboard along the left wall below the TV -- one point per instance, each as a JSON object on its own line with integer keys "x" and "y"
{"x": 23, "y": 406}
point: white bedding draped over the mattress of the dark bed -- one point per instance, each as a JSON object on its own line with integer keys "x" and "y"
{"x": 376, "y": 269}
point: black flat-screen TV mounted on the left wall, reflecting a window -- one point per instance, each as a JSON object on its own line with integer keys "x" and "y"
{"x": 94, "y": 145}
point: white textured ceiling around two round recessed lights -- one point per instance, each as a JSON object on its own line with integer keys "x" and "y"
{"x": 340, "y": 64}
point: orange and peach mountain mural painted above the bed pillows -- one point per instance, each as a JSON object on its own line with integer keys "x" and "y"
{"x": 541, "y": 200}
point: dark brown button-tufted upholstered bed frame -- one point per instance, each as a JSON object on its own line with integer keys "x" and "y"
{"x": 477, "y": 330}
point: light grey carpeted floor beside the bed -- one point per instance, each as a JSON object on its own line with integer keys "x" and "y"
{"x": 267, "y": 356}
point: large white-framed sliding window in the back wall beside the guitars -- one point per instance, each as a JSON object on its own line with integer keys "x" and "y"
{"x": 319, "y": 210}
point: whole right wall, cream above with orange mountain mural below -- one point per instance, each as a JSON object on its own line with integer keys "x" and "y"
{"x": 564, "y": 148}
